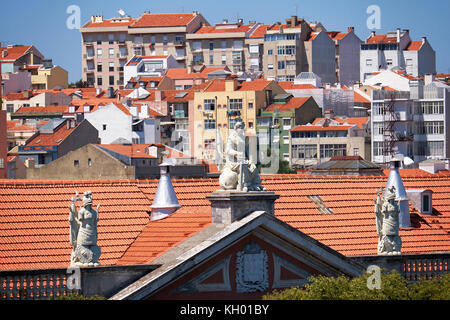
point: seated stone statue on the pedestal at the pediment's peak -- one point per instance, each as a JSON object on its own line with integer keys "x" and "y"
{"x": 238, "y": 173}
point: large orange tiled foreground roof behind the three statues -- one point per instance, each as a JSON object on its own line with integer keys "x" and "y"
{"x": 34, "y": 228}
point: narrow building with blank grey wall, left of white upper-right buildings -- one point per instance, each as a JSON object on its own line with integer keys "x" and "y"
{"x": 347, "y": 46}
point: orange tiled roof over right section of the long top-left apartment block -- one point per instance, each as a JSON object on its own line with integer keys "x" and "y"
{"x": 163, "y": 20}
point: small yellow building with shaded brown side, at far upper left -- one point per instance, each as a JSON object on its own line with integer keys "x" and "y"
{"x": 48, "y": 76}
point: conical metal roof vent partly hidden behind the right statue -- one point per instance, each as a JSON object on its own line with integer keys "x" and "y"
{"x": 395, "y": 180}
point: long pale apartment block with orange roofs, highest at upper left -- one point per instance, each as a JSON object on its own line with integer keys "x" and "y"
{"x": 109, "y": 44}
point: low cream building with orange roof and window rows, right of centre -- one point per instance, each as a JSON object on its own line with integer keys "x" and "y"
{"x": 329, "y": 137}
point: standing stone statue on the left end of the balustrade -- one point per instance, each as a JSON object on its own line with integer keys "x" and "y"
{"x": 83, "y": 232}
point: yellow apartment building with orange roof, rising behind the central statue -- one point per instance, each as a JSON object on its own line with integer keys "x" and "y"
{"x": 221, "y": 104}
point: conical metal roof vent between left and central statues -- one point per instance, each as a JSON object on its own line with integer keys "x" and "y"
{"x": 165, "y": 202}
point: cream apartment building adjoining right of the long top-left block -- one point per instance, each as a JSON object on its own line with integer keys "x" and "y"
{"x": 221, "y": 45}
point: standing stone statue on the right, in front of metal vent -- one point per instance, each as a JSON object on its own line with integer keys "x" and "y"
{"x": 387, "y": 211}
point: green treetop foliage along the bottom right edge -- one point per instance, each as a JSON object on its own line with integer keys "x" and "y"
{"x": 393, "y": 287}
